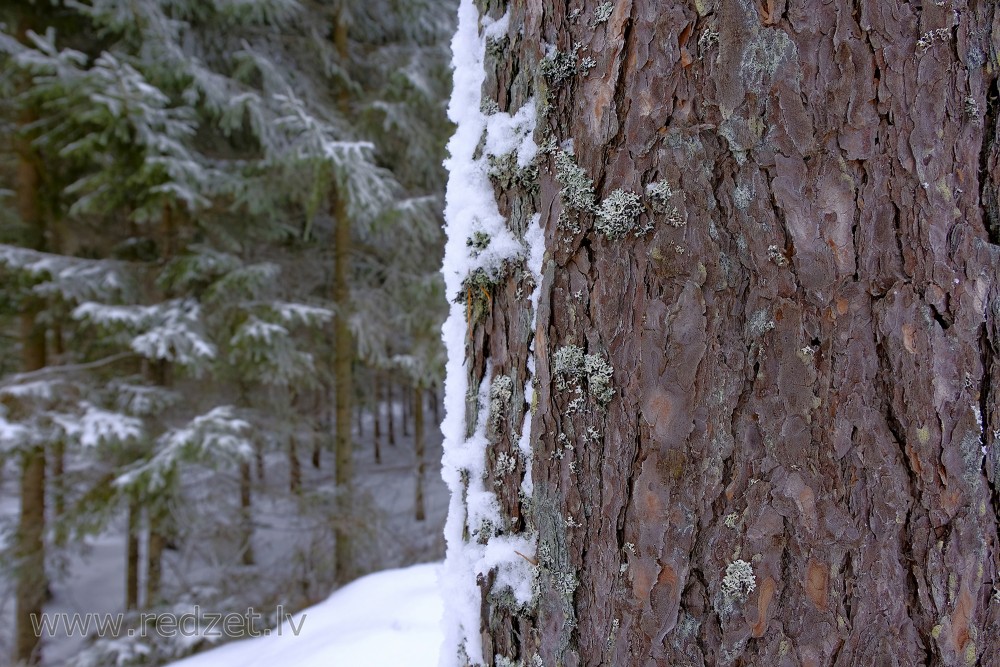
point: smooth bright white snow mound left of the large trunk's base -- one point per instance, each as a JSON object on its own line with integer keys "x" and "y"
{"x": 385, "y": 619}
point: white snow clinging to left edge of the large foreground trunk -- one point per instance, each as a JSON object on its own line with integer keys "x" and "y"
{"x": 471, "y": 212}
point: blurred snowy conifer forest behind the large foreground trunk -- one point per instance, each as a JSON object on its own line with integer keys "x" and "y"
{"x": 220, "y": 306}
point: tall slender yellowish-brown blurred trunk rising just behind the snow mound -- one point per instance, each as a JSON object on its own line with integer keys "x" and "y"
{"x": 344, "y": 388}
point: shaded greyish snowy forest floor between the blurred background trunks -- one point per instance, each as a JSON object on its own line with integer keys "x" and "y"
{"x": 290, "y": 541}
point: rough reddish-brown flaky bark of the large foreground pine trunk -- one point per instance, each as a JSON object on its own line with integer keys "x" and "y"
{"x": 804, "y": 341}
